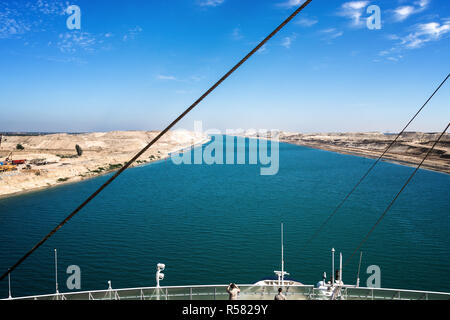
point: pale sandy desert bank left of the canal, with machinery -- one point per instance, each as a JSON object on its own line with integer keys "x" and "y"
{"x": 52, "y": 159}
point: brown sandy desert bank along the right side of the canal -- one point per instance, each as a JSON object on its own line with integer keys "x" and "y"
{"x": 409, "y": 149}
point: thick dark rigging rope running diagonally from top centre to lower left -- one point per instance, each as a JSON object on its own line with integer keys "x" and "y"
{"x": 162, "y": 133}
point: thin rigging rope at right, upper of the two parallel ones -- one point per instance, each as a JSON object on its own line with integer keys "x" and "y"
{"x": 371, "y": 167}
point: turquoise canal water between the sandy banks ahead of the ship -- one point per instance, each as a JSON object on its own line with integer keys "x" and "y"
{"x": 221, "y": 223}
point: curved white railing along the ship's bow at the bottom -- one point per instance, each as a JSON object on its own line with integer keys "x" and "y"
{"x": 248, "y": 292}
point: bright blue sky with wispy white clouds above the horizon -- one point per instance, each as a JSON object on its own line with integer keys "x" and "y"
{"x": 135, "y": 65}
